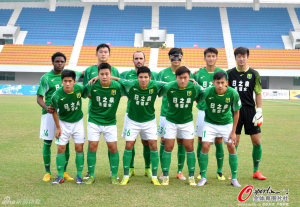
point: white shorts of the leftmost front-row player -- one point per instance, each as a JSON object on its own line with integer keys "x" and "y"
{"x": 76, "y": 130}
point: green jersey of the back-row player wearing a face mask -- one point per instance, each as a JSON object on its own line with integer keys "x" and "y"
{"x": 166, "y": 75}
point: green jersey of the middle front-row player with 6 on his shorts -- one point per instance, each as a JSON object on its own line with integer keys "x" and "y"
{"x": 141, "y": 101}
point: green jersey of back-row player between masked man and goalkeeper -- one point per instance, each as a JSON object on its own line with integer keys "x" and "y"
{"x": 205, "y": 80}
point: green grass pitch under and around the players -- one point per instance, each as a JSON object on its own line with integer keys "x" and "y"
{"x": 21, "y": 164}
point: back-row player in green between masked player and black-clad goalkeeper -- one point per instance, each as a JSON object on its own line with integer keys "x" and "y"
{"x": 205, "y": 79}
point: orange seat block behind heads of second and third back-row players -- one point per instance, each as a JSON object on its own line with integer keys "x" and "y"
{"x": 120, "y": 56}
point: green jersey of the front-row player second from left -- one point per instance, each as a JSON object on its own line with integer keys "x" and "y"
{"x": 104, "y": 102}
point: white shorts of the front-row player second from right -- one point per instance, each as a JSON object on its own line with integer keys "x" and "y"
{"x": 181, "y": 131}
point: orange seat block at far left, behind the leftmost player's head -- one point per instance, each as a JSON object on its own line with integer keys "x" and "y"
{"x": 31, "y": 54}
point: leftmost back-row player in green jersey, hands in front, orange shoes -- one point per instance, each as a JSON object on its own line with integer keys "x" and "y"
{"x": 49, "y": 83}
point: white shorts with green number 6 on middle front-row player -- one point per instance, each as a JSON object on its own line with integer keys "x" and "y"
{"x": 147, "y": 130}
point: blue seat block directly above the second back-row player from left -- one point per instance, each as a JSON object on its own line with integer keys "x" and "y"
{"x": 118, "y": 27}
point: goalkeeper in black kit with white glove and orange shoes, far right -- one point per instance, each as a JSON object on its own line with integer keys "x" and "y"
{"x": 247, "y": 81}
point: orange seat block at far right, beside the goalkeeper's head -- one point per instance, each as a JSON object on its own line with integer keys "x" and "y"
{"x": 274, "y": 59}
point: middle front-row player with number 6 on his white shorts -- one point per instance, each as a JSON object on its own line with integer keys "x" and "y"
{"x": 141, "y": 120}
